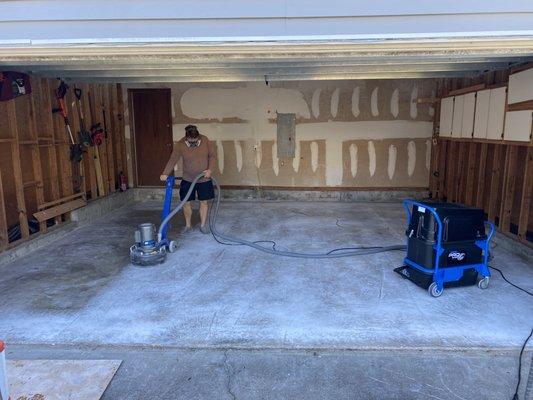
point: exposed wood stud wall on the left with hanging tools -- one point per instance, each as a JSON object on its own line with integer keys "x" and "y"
{"x": 39, "y": 185}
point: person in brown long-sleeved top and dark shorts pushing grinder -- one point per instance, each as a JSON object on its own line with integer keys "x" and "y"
{"x": 198, "y": 156}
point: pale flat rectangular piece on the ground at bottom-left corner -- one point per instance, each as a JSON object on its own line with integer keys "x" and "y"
{"x": 60, "y": 379}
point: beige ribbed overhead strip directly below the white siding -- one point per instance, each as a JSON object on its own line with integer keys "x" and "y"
{"x": 227, "y": 62}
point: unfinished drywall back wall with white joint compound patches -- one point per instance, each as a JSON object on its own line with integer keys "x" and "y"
{"x": 349, "y": 134}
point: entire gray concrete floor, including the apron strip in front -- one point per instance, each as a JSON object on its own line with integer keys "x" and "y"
{"x": 230, "y": 322}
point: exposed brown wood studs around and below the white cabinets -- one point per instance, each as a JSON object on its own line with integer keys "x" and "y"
{"x": 495, "y": 175}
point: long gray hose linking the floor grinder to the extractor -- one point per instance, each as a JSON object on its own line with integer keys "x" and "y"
{"x": 213, "y": 215}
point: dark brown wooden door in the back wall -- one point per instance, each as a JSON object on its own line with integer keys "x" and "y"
{"x": 152, "y": 118}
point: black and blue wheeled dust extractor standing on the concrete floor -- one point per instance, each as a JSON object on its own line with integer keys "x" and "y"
{"x": 459, "y": 270}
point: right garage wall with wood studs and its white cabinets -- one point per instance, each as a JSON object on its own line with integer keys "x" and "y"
{"x": 491, "y": 172}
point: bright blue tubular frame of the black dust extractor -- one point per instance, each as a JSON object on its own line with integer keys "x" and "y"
{"x": 448, "y": 274}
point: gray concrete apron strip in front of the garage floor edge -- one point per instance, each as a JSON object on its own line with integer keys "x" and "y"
{"x": 298, "y": 374}
